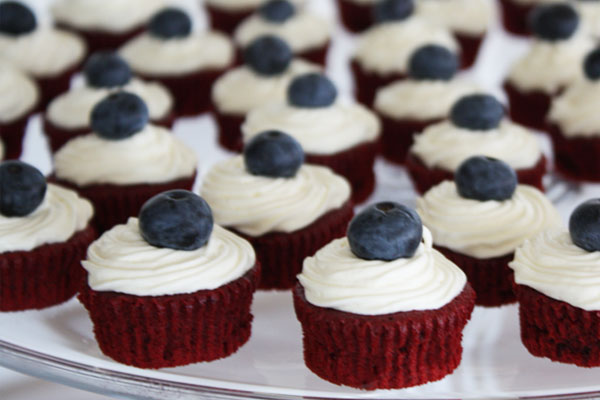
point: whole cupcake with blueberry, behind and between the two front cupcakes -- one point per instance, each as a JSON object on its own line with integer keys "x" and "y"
{"x": 286, "y": 210}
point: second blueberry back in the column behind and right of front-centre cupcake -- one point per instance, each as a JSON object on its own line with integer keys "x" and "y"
{"x": 478, "y": 112}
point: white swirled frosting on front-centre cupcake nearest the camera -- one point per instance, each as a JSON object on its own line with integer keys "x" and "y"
{"x": 335, "y": 278}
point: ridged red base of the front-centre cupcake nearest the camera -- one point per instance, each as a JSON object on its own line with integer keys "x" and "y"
{"x": 388, "y": 351}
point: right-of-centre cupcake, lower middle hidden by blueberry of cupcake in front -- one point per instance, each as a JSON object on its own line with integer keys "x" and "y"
{"x": 477, "y": 126}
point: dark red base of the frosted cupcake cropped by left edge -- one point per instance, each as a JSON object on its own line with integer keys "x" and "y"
{"x": 45, "y": 276}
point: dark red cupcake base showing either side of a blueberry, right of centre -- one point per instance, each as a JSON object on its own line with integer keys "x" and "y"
{"x": 425, "y": 178}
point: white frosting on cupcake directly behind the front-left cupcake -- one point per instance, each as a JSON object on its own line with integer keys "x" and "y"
{"x": 152, "y": 155}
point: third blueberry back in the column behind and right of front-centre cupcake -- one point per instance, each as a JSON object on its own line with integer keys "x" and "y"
{"x": 433, "y": 62}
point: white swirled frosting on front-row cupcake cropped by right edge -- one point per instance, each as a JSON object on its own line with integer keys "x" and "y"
{"x": 551, "y": 264}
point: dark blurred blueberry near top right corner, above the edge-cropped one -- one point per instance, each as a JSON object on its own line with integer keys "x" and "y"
{"x": 554, "y": 21}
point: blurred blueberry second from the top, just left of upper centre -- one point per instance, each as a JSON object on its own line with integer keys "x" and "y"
{"x": 268, "y": 55}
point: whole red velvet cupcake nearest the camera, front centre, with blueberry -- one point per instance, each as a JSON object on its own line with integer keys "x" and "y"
{"x": 380, "y": 308}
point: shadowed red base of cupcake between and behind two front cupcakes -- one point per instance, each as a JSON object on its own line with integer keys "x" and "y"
{"x": 281, "y": 254}
